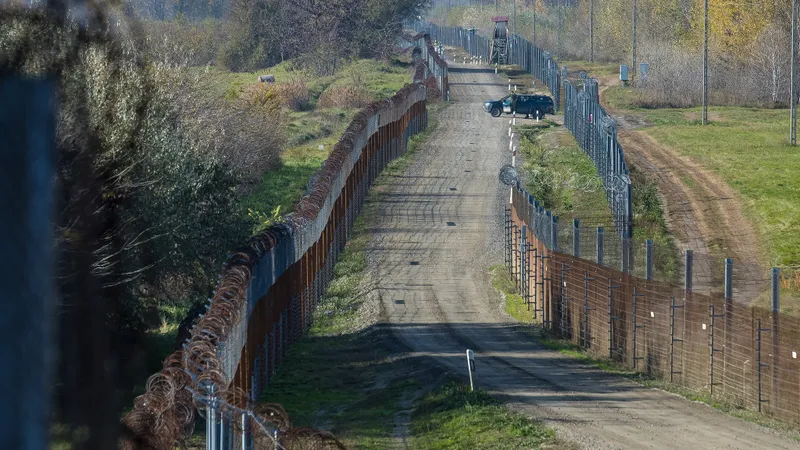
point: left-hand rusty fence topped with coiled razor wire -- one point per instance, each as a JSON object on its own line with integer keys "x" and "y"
{"x": 266, "y": 297}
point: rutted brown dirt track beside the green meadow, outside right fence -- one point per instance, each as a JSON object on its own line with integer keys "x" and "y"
{"x": 702, "y": 211}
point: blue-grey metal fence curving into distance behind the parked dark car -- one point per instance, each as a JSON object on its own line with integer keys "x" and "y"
{"x": 593, "y": 128}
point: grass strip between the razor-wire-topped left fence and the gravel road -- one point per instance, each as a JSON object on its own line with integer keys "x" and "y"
{"x": 348, "y": 375}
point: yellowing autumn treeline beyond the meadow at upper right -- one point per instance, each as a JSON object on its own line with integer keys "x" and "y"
{"x": 749, "y": 42}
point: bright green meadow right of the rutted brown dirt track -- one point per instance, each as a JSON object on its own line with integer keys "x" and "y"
{"x": 748, "y": 148}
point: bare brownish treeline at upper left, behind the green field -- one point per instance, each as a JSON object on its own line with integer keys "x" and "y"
{"x": 314, "y": 34}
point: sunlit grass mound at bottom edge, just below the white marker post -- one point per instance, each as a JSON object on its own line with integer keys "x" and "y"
{"x": 453, "y": 417}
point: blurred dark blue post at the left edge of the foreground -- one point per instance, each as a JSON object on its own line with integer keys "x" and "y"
{"x": 27, "y": 121}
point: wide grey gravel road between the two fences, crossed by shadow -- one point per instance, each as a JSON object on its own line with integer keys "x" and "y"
{"x": 439, "y": 229}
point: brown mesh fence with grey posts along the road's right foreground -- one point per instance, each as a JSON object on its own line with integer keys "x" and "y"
{"x": 711, "y": 343}
